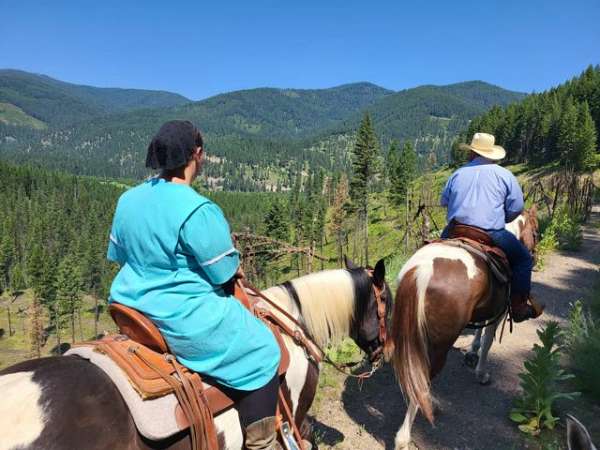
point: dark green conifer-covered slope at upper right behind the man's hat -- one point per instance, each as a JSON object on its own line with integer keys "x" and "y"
{"x": 560, "y": 125}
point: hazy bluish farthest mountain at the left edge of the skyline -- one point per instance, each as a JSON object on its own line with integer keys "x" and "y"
{"x": 58, "y": 104}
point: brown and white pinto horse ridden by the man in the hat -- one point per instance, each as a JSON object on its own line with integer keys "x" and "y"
{"x": 442, "y": 288}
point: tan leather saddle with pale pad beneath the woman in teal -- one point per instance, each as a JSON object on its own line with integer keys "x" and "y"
{"x": 149, "y": 378}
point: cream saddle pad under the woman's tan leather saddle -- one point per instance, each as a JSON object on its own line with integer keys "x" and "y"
{"x": 154, "y": 418}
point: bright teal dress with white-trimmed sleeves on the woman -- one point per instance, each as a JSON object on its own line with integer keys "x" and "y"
{"x": 175, "y": 251}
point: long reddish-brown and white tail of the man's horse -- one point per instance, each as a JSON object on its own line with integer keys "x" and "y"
{"x": 410, "y": 357}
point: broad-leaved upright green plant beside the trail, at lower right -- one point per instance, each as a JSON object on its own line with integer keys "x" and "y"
{"x": 539, "y": 384}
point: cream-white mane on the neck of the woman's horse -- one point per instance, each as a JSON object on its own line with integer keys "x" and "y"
{"x": 327, "y": 300}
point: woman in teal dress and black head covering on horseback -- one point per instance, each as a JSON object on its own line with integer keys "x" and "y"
{"x": 176, "y": 255}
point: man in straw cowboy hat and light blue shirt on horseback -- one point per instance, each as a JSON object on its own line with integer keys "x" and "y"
{"x": 484, "y": 195}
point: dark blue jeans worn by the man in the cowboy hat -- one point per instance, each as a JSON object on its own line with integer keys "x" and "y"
{"x": 518, "y": 256}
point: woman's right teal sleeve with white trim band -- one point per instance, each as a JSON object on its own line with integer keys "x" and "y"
{"x": 206, "y": 235}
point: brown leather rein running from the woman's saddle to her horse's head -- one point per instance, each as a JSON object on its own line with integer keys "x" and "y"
{"x": 302, "y": 338}
